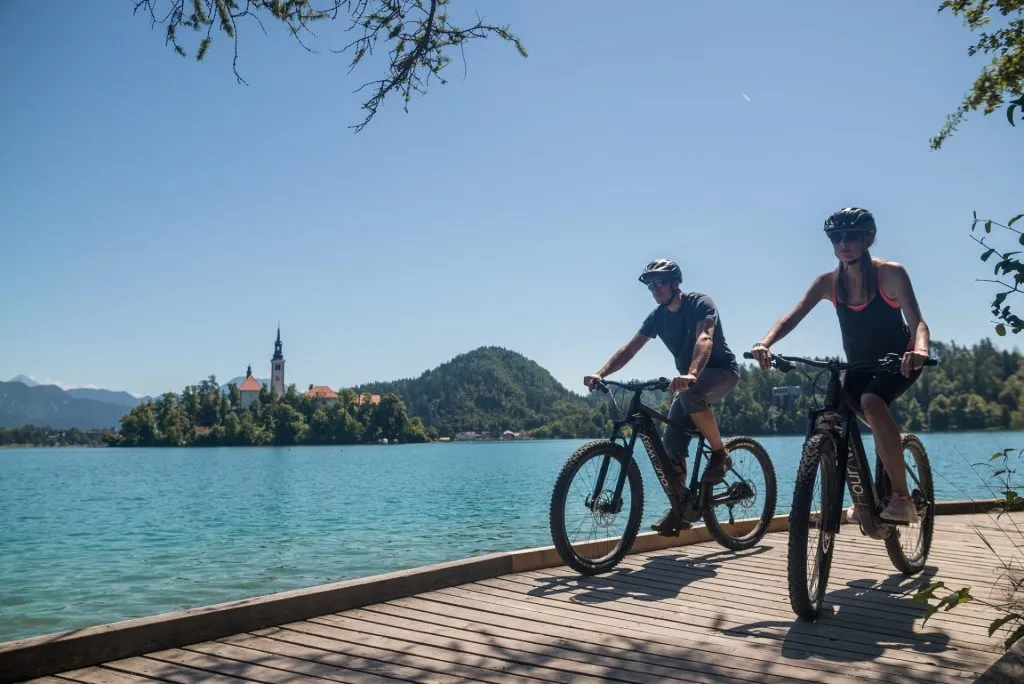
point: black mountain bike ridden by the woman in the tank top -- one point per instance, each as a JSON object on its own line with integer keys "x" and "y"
{"x": 833, "y": 436}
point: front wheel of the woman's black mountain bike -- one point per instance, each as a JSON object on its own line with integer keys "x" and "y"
{"x": 810, "y": 551}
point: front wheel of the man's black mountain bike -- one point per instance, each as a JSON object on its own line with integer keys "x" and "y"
{"x": 591, "y": 531}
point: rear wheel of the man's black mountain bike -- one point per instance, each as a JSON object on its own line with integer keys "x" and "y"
{"x": 749, "y": 489}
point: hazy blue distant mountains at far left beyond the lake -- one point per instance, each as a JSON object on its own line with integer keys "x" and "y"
{"x": 49, "y": 406}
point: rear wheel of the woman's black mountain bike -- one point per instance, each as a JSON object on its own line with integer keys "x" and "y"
{"x": 909, "y": 545}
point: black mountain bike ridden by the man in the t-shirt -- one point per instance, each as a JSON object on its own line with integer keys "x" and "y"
{"x": 586, "y": 489}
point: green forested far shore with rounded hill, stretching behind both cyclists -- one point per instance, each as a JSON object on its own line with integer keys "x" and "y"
{"x": 493, "y": 390}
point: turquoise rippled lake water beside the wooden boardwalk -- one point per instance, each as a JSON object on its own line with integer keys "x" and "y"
{"x": 97, "y": 536}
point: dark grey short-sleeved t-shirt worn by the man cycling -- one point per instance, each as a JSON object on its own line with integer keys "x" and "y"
{"x": 679, "y": 332}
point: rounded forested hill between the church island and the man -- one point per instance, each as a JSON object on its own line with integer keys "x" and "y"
{"x": 489, "y": 389}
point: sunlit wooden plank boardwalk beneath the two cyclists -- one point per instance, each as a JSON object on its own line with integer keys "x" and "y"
{"x": 688, "y": 614}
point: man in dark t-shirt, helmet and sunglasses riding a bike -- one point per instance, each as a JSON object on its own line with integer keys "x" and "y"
{"x": 690, "y": 326}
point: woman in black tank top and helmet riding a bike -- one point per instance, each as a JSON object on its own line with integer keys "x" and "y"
{"x": 872, "y": 297}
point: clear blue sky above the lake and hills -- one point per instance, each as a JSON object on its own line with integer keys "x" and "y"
{"x": 157, "y": 220}
